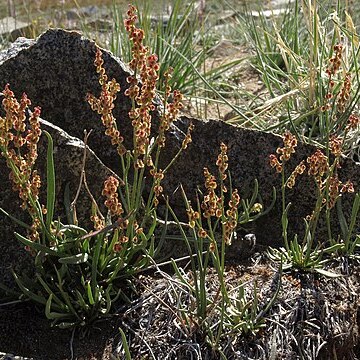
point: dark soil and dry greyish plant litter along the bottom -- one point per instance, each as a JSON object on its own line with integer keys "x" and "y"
{"x": 313, "y": 317}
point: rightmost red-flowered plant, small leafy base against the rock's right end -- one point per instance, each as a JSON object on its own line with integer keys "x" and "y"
{"x": 329, "y": 190}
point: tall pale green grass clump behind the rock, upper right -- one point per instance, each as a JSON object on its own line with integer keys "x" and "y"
{"x": 308, "y": 60}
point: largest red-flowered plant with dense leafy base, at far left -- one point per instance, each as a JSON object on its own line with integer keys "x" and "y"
{"x": 80, "y": 273}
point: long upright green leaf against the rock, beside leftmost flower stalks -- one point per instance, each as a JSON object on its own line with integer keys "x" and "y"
{"x": 50, "y": 180}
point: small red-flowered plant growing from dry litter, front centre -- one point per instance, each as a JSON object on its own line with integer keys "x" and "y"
{"x": 213, "y": 225}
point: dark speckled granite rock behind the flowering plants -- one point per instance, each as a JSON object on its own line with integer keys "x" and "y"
{"x": 56, "y": 71}
